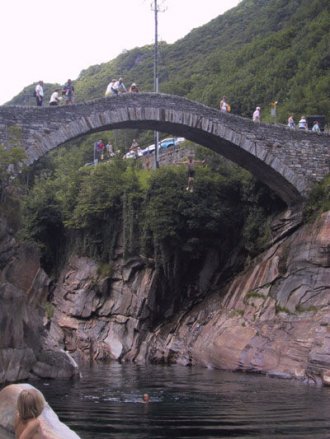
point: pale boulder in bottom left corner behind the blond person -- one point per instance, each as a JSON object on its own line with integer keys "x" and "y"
{"x": 8, "y": 402}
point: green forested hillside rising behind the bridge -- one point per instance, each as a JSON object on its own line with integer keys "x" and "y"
{"x": 258, "y": 52}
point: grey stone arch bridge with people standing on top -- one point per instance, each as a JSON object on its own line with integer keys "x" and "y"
{"x": 288, "y": 161}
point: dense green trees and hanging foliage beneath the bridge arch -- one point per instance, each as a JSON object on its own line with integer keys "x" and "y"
{"x": 92, "y": 205}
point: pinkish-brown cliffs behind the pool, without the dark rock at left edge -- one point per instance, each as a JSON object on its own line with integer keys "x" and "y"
{"x": 274, "y": 318}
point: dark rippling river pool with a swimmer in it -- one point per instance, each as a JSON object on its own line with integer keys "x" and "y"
{"x": 187, "y": 403}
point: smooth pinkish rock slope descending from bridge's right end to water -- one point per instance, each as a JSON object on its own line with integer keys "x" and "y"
{"x": 274, "y": 318}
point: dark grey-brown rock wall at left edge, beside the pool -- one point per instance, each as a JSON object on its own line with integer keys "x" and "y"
{"x": 24, "y": 288}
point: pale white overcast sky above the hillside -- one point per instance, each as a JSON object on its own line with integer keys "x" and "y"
{"x": 54, "y": 40}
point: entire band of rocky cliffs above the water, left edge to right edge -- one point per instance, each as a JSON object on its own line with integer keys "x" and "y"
{"x": 273, "y": 318}
